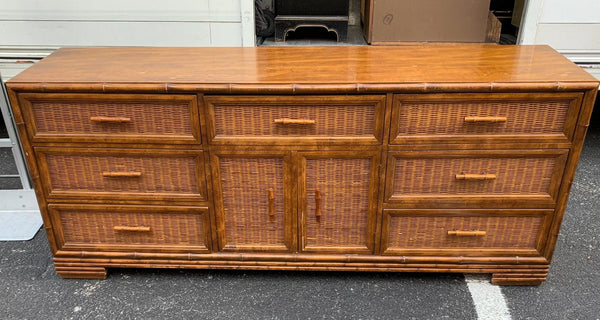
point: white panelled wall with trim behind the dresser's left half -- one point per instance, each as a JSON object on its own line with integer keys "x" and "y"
{"x": 56, "y": 23}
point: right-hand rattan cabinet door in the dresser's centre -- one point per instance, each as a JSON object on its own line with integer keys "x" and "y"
{"x": 337, "y": 201}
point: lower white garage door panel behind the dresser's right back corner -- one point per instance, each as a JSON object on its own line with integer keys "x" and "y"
{"x": 583, "y": 37}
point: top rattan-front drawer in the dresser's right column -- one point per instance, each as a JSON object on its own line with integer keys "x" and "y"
{"x": 477, "y": 118}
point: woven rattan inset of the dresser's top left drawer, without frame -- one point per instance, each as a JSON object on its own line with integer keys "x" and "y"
{"x": 147, "y": 118}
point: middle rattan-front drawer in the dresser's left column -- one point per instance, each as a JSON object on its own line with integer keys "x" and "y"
{"x": 90, "y": 174}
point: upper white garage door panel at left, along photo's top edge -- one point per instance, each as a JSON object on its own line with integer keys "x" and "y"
{"x": 120, "y": 10}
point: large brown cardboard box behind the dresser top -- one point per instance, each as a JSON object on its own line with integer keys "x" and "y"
{"x": 425, "y": 20}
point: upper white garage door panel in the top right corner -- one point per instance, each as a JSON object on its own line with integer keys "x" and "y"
{"x": 574, "y": 11}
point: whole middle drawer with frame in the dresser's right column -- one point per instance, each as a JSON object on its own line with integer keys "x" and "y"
{"x": 479, "y": 177}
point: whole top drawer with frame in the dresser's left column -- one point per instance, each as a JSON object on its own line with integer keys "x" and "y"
{"x": 143, "y": 118}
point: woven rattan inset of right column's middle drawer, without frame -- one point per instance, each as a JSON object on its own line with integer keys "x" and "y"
{"x": 430, "y": 176}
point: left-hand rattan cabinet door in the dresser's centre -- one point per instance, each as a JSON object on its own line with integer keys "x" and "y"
{"x": 253, "y": 201}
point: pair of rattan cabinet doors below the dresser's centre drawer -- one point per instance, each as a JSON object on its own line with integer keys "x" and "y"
{"x": 296, "y": 201}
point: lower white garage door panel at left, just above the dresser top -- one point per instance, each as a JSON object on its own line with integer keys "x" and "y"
{"x": 85, "y": 33}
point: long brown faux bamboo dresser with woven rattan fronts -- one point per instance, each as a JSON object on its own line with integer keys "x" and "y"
{"x": 415, "y": 159}
